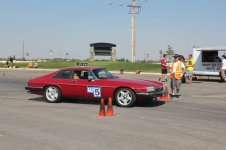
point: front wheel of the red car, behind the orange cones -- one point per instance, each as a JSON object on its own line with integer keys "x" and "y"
{"x": 125, "y": 97}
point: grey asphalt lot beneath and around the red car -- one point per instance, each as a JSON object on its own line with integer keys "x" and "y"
{"x": 195, "y": 121}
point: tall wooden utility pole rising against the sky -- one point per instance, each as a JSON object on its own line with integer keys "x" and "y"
{"x": 134, "y": 9}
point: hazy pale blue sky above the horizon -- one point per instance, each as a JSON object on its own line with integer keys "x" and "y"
{"x": 69, "y": 26}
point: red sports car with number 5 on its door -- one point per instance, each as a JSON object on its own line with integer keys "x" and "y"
{"x": 86, "y": 82}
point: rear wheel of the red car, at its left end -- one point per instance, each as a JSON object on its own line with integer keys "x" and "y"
{"x": 52, "y": 94}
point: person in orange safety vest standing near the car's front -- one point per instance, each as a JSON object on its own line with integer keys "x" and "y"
{"x": 177, "y": 69}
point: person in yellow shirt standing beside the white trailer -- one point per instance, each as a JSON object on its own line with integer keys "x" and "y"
{"x": 190, "y": 68}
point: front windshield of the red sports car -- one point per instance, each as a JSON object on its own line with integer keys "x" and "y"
{"x": 103, "y": 74}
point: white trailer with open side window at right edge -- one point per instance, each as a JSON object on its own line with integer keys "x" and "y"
{"x": 208, "y": 61}
